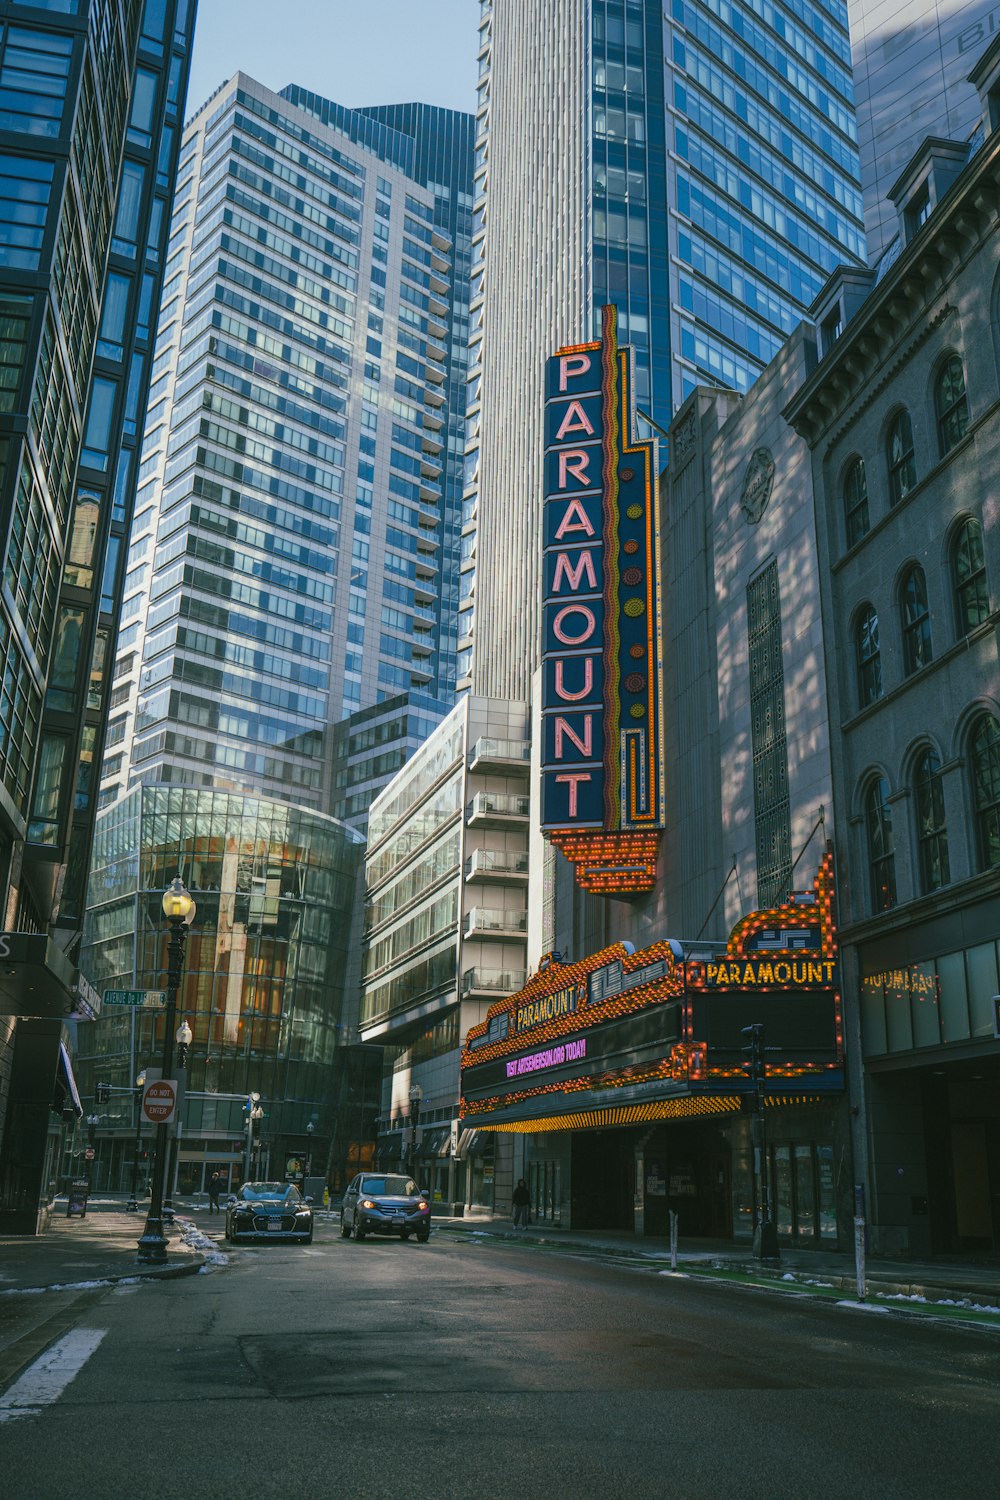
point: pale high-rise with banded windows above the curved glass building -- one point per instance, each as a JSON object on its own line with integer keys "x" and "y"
{"x": 286, "y": 562}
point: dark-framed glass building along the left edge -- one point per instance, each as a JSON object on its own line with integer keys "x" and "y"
{"x": 92, "y": 97}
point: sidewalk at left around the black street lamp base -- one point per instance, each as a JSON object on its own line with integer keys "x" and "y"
{"x": 101, "y": 1247}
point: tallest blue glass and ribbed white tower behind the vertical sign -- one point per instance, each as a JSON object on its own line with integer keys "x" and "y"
{"x": 696, "y": 166}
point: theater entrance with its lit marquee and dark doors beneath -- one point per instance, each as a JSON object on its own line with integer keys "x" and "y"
{"x": 626, "y": 1079}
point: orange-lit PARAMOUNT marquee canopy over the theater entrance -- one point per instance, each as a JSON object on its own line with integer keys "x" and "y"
{"x": 626, "y": 1036}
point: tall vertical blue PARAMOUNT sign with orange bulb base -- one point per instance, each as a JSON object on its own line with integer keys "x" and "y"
{"x": 602, "y": 769}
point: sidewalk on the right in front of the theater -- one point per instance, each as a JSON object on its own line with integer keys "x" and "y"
{"x": 969, "y": 1283}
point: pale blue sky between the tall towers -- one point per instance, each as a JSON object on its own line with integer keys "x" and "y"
{"x": 355, "y": 52}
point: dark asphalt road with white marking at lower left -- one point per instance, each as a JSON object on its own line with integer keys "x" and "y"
{"x": 467, "y": 1370}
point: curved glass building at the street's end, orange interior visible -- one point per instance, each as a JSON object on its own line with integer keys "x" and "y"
{"x": 263, "y": 988}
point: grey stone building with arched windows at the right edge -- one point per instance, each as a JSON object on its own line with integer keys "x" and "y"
{"x": 903, "y": 422}
